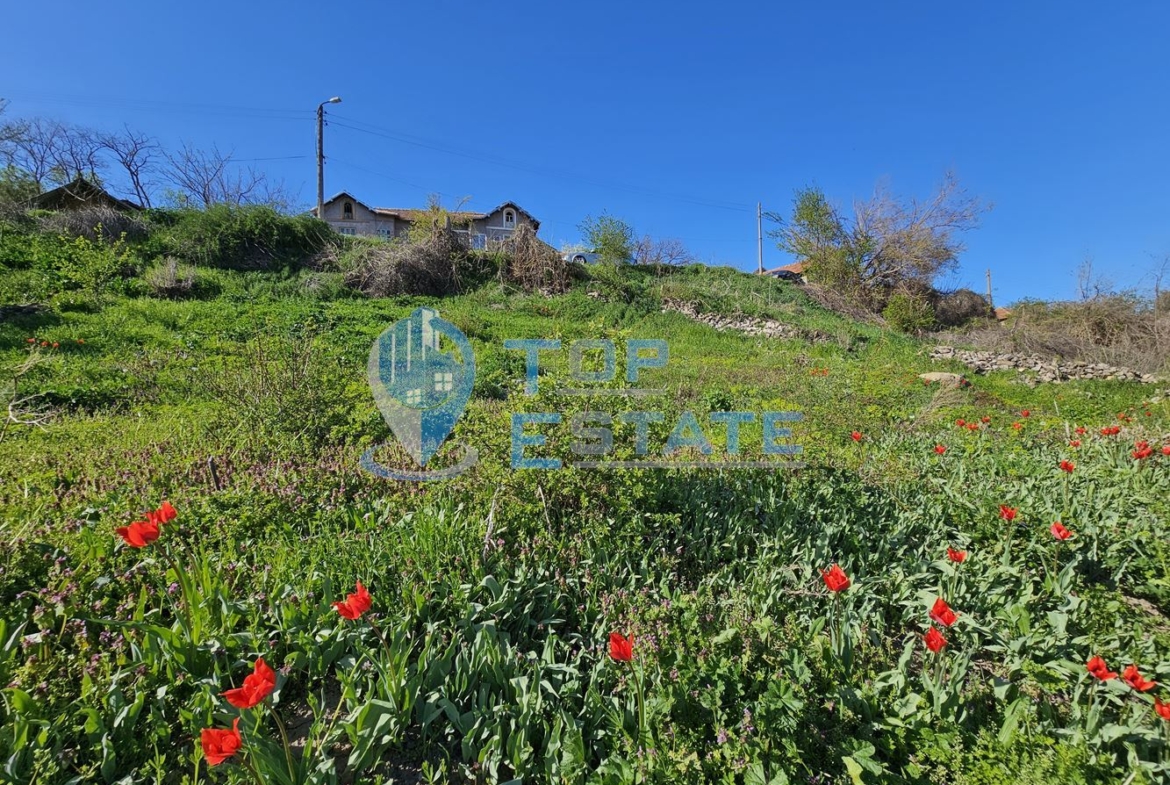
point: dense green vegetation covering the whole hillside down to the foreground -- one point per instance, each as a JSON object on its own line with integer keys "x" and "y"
{"x": 485, "y": 652}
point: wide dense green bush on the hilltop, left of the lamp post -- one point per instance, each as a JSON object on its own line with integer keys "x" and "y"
{"x": 251, "y": 238}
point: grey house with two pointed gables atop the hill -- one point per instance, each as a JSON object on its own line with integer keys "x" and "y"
{"x": 353, "y": 217}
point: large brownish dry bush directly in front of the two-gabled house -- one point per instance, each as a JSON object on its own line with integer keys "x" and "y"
{"x": 429, "y": 266}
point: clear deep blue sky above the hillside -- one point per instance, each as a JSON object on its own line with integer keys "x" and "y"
{"x": 675, "y": 116}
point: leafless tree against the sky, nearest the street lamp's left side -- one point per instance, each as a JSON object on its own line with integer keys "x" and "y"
{"x": 208, "y": 177}
